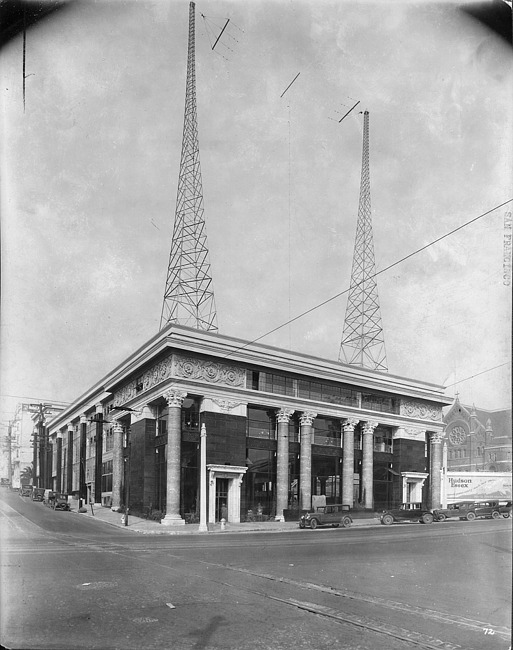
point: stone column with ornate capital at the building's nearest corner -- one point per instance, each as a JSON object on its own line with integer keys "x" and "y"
{"x": 175, "y": 398}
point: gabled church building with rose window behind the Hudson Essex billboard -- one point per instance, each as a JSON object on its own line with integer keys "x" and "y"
{"x": 477, "y": 439}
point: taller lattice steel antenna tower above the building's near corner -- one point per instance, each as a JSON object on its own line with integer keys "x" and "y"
{"x": 189, "y": 293}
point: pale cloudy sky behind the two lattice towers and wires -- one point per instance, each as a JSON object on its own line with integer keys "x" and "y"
{"x": 90, "y": 172}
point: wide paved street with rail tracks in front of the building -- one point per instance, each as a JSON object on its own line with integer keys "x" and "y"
{"x": 74, "y": 581}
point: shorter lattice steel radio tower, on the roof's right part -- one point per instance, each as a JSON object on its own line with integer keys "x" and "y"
{"x": 363, "y": 343}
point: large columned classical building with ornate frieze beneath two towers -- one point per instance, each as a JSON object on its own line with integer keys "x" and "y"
{"x": 281, "y": 428}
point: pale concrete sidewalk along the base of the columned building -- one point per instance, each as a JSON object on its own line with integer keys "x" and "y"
{"x": 148, "y": 527}
